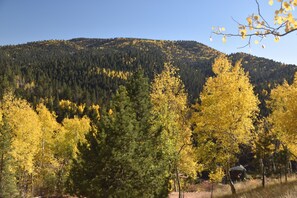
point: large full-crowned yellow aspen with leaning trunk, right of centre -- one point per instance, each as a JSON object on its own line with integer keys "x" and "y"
{"x": 224, "y": 118}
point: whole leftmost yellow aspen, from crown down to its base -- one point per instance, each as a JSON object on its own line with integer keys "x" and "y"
{"x": 23, "y": 124}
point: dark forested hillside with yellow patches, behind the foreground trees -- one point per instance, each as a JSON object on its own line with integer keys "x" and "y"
{"x": 89, "y": 70}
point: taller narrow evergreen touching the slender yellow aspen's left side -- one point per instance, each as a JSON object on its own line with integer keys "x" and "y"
{"x": 151, "y": 182}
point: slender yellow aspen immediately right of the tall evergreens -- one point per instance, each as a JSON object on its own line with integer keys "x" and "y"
{"x": 169, "y": 101}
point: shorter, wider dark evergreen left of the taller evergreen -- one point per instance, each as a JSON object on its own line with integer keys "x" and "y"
{"x": 109, "y": 166}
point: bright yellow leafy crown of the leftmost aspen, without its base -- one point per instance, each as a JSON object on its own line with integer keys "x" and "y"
{"x": 26, "y": 129}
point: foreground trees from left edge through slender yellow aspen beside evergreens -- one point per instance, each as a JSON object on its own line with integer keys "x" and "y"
{"x": 133, "y": 148}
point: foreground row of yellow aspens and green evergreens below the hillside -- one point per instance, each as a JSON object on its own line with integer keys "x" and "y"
{"x": 146, "y": 140}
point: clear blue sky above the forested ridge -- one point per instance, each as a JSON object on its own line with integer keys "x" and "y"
{"x": 23, "y": 21}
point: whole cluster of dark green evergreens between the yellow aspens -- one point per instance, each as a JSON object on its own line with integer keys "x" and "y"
{"x": 121, "y": 159}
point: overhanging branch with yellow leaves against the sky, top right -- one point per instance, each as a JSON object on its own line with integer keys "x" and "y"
{"x": 257, "y": 25}
